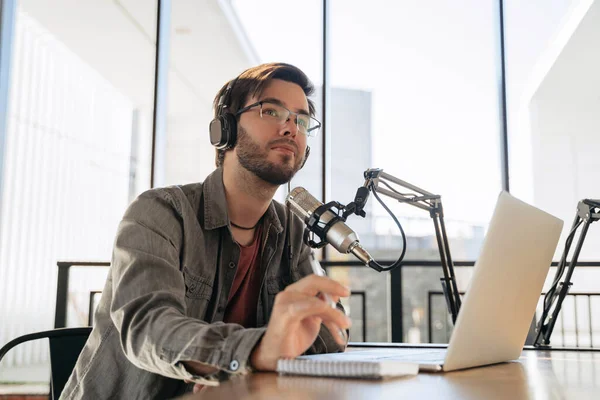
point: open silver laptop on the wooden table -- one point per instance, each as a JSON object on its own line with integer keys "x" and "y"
{"x": 499, "y": 305}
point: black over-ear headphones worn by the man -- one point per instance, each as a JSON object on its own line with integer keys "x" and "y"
{"x": 223, "y": 128}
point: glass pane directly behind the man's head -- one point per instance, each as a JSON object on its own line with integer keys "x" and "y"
{"x": 213, "y": 42}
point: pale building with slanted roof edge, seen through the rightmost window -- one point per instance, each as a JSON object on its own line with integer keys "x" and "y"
{"x": 565, "y": 130}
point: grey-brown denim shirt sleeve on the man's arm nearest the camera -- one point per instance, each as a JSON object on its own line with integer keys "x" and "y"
{"x": 148, "y": 306}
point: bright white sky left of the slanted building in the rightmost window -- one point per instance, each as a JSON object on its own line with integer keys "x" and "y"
{"x": 535, "y": 33}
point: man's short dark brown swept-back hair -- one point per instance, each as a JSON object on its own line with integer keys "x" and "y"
{"x": 252, "y": 82}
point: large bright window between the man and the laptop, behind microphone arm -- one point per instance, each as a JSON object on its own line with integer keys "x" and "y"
{"x": 415, "y": 90}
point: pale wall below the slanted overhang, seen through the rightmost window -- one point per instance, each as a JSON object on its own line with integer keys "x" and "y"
{"x": 566, "y": 137}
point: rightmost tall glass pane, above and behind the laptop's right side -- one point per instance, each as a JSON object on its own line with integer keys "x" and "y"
{"x": 552, "y": 105}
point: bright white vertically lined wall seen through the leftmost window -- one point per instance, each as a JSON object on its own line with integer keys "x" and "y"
{"x": 66, "y": 181}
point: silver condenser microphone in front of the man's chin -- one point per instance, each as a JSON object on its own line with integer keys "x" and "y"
{"x": 339, "y": 235}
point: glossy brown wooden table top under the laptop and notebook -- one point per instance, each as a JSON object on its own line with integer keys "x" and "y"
{"x": 538, "y": 374}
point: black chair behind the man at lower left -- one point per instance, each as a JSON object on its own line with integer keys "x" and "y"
{"x": 65, "y": 346}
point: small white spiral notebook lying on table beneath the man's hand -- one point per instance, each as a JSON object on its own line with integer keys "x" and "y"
{"x": 317, "y": 365}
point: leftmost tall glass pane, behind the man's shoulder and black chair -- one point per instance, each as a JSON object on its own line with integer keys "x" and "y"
{"x": 77, "y": 151}
